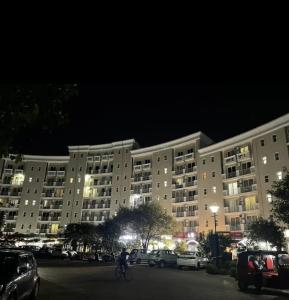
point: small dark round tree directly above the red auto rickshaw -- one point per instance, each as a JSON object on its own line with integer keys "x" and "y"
{"x": 268, "y": 231}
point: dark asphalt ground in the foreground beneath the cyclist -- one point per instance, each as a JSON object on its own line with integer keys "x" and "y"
{"x": 81, "y": 280}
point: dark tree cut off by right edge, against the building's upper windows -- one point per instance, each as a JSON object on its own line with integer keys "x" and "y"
{"x": 280, "y": 204}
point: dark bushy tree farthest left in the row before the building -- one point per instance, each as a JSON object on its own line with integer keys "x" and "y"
{"x": 84, "y": 233}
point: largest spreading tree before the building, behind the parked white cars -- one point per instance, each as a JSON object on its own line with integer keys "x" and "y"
{"x": 149, "y": 221}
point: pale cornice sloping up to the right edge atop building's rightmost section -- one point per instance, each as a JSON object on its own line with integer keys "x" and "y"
{"x": 248, "y": 135}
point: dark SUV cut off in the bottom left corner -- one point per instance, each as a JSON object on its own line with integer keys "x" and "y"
{"x": 18, "y": 277}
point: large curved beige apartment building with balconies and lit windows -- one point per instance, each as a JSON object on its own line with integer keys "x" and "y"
{"x": 42, "y": 194}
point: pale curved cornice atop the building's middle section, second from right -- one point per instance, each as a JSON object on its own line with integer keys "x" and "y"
{"x": 169, "y": 144}
